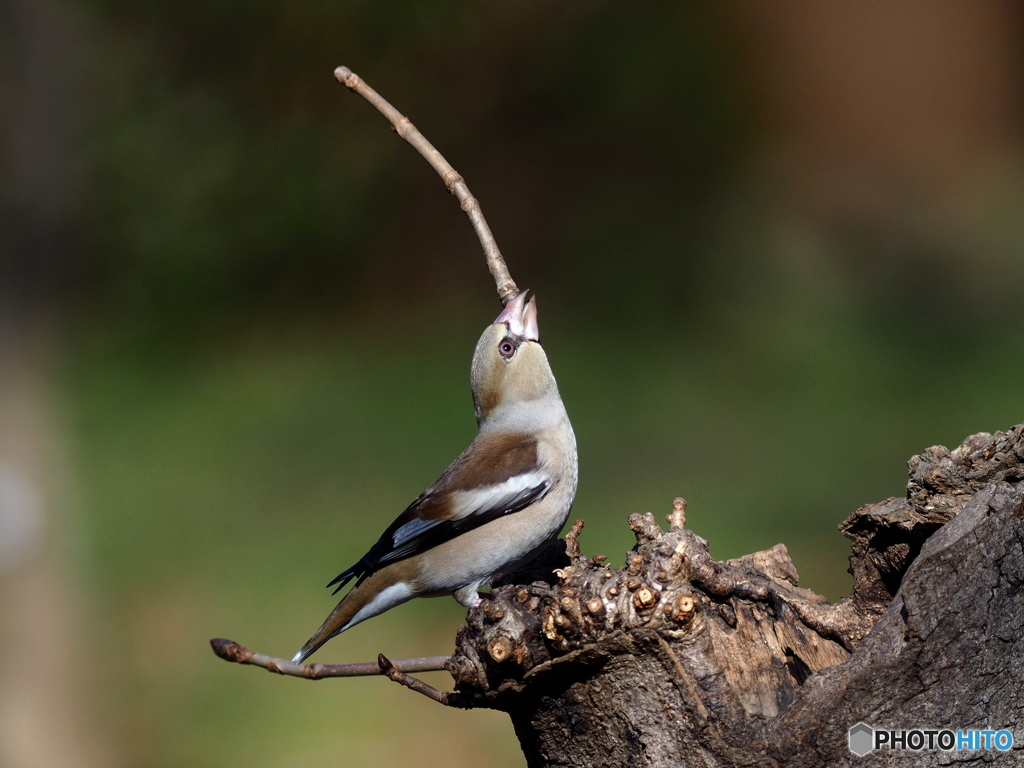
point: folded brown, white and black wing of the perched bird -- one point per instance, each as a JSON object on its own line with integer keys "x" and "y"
{"x": 497, "y": 476}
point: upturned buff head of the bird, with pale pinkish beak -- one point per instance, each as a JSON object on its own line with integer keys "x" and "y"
{"x": 509, "y": 366}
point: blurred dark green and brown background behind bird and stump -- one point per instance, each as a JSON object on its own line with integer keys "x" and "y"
{"x": 778, "y": 250}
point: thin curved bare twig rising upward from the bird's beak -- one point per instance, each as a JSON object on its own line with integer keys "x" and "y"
{"x": 453, "y": 181}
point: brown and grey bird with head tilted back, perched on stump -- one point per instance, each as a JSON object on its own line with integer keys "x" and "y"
{"x": 496, "y": 507}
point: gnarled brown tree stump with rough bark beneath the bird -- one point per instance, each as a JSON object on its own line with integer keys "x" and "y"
{"x": 676, "y": 660}
